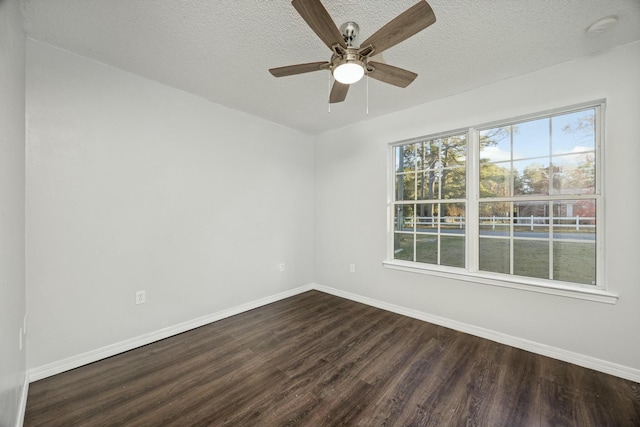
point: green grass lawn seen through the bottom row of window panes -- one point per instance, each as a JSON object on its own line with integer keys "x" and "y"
{"x": 572, "y": 262}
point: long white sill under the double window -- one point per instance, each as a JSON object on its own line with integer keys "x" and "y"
{"x": 570, "y": 291}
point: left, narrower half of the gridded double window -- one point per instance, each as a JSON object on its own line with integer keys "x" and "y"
{"x": 430, "y": 201}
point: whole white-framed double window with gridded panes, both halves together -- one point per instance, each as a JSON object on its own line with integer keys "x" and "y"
{"x": 515, "y": 201}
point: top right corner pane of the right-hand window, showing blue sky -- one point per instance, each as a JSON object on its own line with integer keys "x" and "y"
{"x": 573, "y": 132}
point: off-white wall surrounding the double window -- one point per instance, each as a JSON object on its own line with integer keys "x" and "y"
{"x": 351, "y": 191}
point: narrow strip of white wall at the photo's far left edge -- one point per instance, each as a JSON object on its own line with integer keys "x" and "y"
{"x": 12, "y": 260}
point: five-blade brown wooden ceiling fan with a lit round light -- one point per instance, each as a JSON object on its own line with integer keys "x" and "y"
{"x": 349, "y": 63}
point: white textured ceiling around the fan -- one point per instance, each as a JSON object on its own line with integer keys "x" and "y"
{"x": 221, "y": 49}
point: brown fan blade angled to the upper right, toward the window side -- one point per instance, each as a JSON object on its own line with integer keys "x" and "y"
{"x": 411, "y": 21}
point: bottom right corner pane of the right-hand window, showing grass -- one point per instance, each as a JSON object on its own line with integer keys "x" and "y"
{"x": 574, "y": 262}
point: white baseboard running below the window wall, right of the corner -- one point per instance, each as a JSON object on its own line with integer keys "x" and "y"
{"x": 534, "y": 347}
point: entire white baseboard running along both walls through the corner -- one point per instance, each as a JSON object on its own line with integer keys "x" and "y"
{"x": 534, "y": 347}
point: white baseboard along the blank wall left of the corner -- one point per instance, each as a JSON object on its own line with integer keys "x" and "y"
{"x": 73, "y": 362}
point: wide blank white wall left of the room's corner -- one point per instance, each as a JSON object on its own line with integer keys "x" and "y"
{"x": 132, "y": 185}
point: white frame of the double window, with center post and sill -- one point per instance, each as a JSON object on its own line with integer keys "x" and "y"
{"x": 598, "y": 292}
